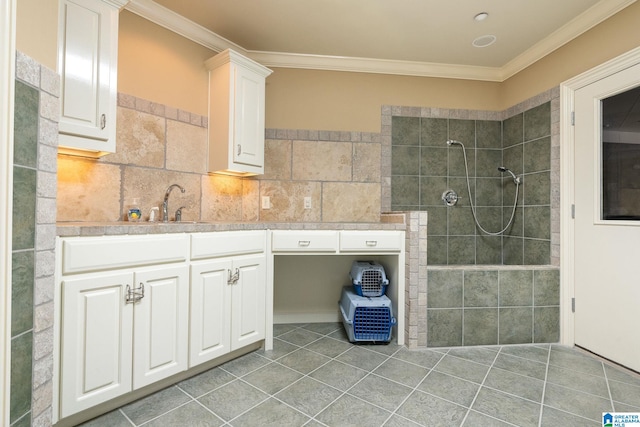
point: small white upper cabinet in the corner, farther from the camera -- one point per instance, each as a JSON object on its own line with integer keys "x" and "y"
{"x": 236, "y": 114}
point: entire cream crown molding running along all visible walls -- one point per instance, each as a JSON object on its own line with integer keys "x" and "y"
{"x": 170, "y": 20}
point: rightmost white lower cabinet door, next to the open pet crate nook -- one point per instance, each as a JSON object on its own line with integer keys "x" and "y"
{"x": 248, "y": 296}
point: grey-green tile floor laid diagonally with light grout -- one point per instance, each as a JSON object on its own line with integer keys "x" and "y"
{"x": 315, "y": 377}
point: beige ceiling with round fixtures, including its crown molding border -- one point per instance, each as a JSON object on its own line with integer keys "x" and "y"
{"x": 418, "y": 37}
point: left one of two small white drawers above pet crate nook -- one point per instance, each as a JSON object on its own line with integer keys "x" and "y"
{"x": 304, "y": 241}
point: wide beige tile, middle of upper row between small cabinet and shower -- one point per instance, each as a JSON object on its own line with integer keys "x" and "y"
{"x": 322, "y": 160}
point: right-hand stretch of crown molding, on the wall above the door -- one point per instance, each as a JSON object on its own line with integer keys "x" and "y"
{"x": 574, "y": 28}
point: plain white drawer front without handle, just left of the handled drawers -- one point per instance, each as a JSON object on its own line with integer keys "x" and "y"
{"x": 223, "y": 243}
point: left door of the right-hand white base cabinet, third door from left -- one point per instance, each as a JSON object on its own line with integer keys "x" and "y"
{"x": 210, "y": 330}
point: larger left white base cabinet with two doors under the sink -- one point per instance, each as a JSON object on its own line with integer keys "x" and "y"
{"x": 123, "y": 320}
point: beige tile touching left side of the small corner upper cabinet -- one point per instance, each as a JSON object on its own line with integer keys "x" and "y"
{"x": 186, "y": 147}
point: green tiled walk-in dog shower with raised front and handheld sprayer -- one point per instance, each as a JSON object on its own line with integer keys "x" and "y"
{"x": 482, "y": 289}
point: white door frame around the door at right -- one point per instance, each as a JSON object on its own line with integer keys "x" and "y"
{"x": 567, "y": 180}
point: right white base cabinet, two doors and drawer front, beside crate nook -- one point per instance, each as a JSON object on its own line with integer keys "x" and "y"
{"x": 228, "y": 292}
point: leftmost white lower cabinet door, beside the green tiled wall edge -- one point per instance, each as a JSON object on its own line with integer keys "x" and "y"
{"x": 97, "y": 342}
